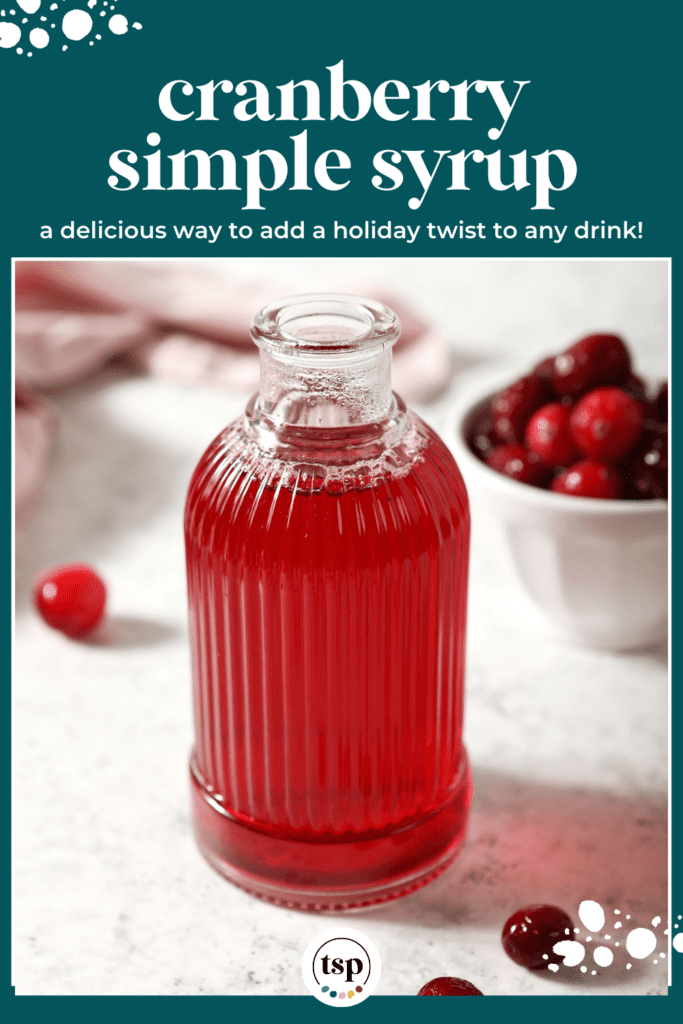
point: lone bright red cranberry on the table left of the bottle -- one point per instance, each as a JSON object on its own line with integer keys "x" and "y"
{"x": 71, "y": 599}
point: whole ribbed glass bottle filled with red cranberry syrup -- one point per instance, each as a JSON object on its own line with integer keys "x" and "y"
{"x": 327, "y": 537}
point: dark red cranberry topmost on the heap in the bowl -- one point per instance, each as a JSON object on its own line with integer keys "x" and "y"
{"x": 593, "y": 362}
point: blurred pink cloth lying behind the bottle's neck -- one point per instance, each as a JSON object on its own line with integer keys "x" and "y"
{"x": 187, "y": 322}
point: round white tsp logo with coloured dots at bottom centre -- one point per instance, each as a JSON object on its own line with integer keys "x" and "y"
{"x": 341, "y": 967}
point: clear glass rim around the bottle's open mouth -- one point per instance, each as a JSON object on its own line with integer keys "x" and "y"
{"x": 325, "y": 324}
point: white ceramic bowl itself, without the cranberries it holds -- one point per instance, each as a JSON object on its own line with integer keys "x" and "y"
{"x": 596, "y": 570}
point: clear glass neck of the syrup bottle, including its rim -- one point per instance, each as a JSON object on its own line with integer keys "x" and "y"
{"x": 326, "y": 375}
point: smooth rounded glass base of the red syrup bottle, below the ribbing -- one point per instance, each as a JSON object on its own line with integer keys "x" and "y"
{"x": 329, "y": 876}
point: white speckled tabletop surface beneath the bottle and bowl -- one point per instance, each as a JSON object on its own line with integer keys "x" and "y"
{"x": 569, "y": 746}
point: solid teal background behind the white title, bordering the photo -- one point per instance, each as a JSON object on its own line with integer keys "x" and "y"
{"x": 604, "y": 88}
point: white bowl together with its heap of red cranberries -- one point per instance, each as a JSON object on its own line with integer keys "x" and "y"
{"x": 572, "y": 458}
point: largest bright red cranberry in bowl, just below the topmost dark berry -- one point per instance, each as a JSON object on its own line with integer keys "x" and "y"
{"x": 607, "y": 423}
